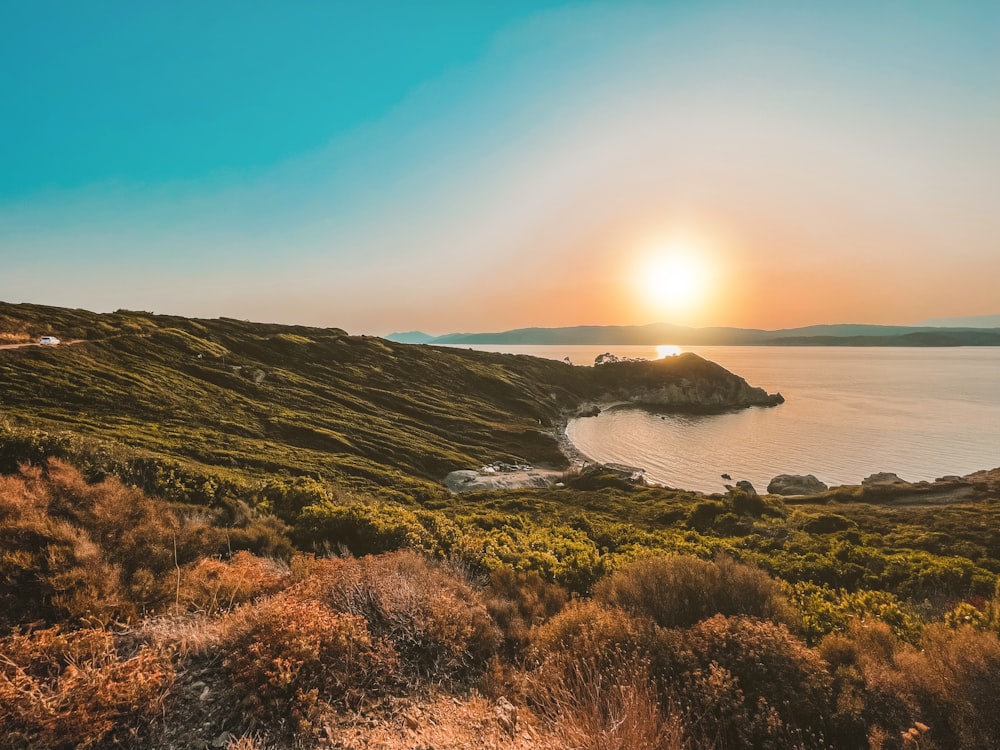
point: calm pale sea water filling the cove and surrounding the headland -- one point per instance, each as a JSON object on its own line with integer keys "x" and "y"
{"x": 849, "y": 412}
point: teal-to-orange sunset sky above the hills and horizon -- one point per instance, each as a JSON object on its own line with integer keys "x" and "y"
{"x": 482, "y": 166}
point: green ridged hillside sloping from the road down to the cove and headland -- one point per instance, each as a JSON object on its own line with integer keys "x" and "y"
{"x": 229, "y": 399}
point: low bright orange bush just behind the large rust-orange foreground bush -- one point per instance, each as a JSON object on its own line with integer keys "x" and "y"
{"x": 212, "y": 586}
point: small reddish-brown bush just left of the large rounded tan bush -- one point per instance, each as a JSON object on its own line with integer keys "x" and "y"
{"x": 518, "y": 601}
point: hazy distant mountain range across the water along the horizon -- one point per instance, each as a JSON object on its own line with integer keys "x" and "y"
{"x": 663, "y": 333}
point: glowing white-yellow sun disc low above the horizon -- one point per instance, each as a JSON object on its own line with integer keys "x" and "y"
{"x": 673, "y": 279}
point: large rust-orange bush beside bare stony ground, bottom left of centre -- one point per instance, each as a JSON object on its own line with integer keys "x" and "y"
{"x": 287, "y": 653}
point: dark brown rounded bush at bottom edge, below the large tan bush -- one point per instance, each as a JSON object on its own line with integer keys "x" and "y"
{"x": 745, "y": 683}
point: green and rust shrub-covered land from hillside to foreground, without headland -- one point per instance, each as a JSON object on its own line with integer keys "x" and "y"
{"x": 178, "y": 568}
